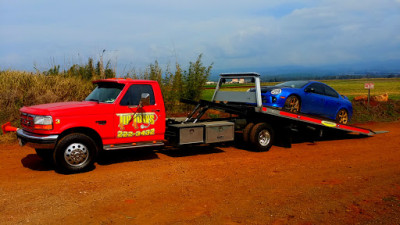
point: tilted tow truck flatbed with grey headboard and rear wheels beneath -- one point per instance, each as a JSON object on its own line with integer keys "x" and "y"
{"x": 260, "y": 124}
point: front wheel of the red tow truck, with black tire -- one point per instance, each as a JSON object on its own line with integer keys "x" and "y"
{"x": 75, "y": 153}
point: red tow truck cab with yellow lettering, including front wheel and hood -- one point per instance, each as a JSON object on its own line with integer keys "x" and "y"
{"x": 119, "y": 113}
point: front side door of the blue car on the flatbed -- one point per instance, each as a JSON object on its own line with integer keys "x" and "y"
{"x": 314, "y": 99}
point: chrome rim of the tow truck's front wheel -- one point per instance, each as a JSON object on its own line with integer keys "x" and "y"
{"x": 76, "y": 154}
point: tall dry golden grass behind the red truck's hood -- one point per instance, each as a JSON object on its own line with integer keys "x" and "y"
{"x": 20, "y": 89}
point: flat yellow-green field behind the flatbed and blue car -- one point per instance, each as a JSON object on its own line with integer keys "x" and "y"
{"x": 350, "y": 88}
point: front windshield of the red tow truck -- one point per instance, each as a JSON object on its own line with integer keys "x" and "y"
{"x": 105, "y": 92}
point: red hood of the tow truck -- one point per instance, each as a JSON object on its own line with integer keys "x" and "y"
{"x": 68, "y": 108}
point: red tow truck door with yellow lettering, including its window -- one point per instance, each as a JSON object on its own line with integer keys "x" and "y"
{"x": 136, "y": 122}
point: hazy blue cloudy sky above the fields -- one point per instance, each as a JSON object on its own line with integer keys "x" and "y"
{"x": 232, "y": 35}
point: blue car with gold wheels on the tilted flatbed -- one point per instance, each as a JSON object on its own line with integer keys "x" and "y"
{"x": 309, "y": 97}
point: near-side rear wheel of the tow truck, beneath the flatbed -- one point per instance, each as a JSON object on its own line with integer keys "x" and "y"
{"x": 262, "y": 136}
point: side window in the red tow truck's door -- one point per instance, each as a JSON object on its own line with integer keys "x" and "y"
{"x": 134, "y": 94}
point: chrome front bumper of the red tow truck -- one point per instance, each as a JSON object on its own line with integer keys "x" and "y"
{"x": 36, "y": 140}
